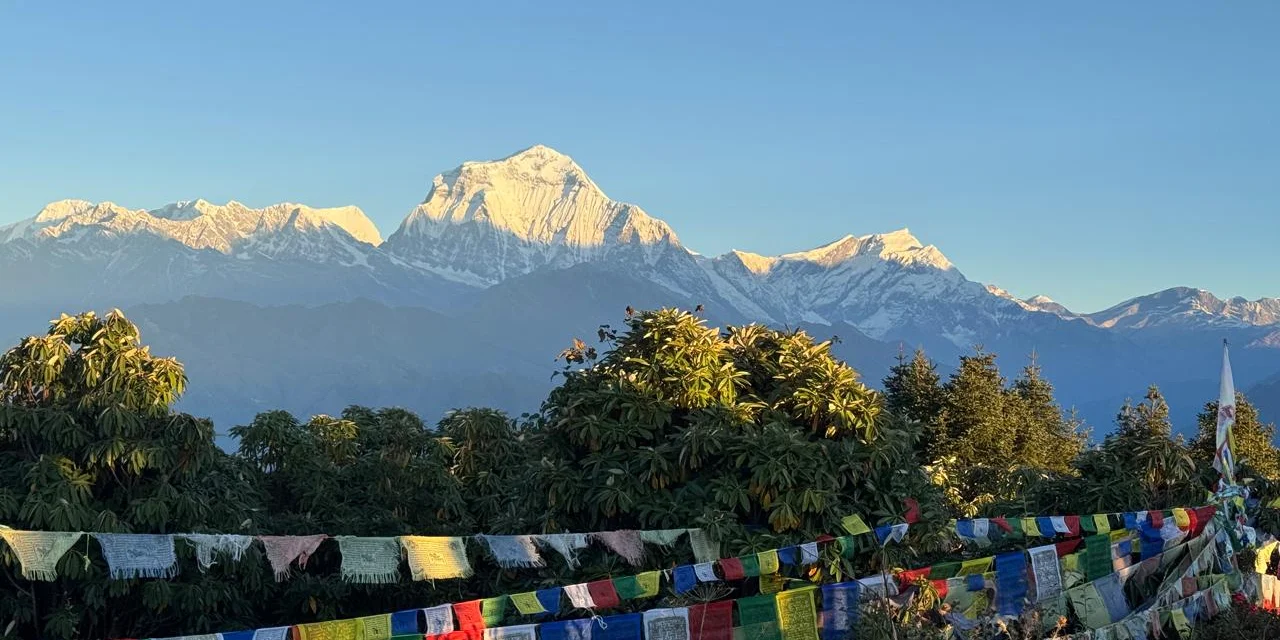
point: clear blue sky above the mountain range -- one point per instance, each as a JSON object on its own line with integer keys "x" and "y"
{"x": 1091, "y": 152}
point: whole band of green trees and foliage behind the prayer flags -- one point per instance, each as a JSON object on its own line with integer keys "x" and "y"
{"x": 758, "y": 436}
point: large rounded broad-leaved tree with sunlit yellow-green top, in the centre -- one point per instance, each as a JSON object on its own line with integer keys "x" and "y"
{"x": 748, "y": 431}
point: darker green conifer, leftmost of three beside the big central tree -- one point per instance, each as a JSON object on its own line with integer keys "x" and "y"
{"x": 913, "y": 391}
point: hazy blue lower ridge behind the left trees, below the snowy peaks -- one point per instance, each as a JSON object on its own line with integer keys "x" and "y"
{"x": 243, "y": 359}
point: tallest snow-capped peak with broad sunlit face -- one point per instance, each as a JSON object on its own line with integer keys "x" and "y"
{"x": 487, "y": 222}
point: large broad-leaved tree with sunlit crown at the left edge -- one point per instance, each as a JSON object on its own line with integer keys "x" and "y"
{"x": 89, "y": 442}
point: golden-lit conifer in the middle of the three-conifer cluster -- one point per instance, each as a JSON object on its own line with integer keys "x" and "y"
{"x": 973, "y": 417}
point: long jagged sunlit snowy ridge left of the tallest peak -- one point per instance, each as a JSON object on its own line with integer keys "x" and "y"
{"x": 85, "y": 254}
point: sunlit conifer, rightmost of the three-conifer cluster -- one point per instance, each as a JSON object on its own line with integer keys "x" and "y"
{"x": 1045, "y": 437}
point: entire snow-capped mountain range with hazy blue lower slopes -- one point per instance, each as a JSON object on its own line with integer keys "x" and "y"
{"x": 506, "y": 262}
